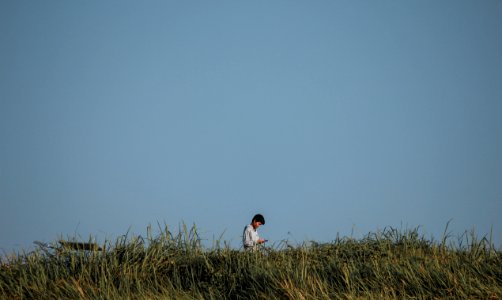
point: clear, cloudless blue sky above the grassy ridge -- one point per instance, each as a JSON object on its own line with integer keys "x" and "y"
{"x": 331, "y": 118}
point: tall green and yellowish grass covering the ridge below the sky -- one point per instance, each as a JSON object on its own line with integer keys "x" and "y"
{"x": 391, "y": 264}
